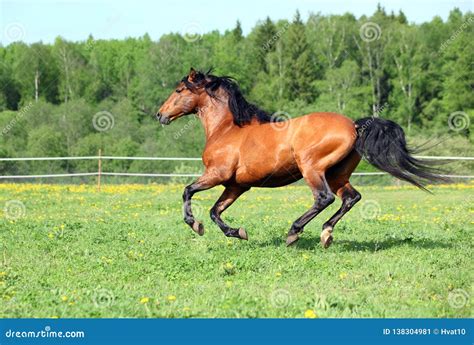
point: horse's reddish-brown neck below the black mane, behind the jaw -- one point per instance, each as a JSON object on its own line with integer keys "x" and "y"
{"x": 216, "y": 117}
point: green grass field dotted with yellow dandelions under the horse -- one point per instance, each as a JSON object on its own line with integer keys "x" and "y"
{"x": 69, "y": 251}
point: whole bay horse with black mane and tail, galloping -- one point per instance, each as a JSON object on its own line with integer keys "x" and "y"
{"x": 246, "y": 147}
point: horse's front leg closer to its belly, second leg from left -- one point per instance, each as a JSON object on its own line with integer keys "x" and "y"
{"x": 230, "y": 194}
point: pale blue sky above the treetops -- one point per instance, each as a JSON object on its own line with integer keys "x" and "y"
{"x": 43, "y": 20}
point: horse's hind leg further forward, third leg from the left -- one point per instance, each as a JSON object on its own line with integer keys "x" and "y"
{"x": 323, "y": 197}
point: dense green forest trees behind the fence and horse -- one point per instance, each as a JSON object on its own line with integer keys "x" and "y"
{"x": 53, "y": 95}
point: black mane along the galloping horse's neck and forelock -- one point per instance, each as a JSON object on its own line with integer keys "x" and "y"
{"x": 242, "y": 110}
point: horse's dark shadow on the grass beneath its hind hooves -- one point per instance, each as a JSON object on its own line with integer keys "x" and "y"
{"x": 361, "y": 246}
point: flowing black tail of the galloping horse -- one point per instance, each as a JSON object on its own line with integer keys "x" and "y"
{"x": 382, "y": 143}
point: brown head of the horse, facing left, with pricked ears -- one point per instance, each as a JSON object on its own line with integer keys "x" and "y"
{"x": 184, "y": 99}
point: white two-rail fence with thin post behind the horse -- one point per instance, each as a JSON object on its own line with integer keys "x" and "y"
{"x": 100, "y": 158}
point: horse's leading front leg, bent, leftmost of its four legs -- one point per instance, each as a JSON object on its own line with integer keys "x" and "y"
{"x": 205, "y": 182}
